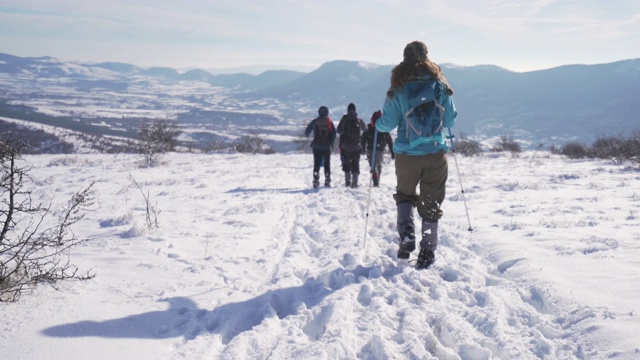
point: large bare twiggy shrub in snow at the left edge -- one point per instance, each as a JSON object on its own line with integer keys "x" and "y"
{"x": 30, "y": 254}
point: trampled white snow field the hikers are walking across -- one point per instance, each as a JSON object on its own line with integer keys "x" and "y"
{"x": 250, "y": 263}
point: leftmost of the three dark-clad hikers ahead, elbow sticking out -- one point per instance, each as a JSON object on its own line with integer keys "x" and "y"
{"x": 324, "y": 135}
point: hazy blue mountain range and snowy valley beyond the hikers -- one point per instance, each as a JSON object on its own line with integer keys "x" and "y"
{"x": 552, "y": 106}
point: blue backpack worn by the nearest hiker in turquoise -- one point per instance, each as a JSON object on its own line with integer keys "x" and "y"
{"x": 425, "y": 115}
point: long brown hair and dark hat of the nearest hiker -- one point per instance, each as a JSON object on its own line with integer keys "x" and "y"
{"x": 415, "y": 64}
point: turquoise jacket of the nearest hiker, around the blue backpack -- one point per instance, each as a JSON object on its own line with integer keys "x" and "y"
{"x": 393, "y": 116}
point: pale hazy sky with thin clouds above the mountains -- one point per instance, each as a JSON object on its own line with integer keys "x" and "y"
{"x": 518, "y": 35}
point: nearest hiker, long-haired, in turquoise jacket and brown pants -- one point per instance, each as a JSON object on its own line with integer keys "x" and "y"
{"x": 424, "y": 164}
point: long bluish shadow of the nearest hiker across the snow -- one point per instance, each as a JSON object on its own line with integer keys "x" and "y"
{"x": 185, "y": 319}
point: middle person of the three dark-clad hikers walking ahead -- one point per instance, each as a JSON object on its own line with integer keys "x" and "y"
{"x": 350, "y": 129}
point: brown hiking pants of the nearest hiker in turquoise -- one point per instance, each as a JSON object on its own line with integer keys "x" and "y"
{"x": 430, "y": 171}
